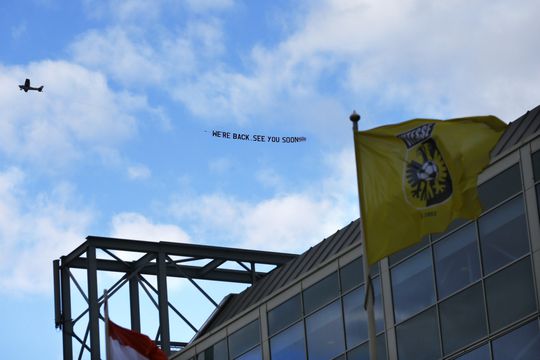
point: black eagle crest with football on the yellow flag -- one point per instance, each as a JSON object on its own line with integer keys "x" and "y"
{"x": 426, "y": 178}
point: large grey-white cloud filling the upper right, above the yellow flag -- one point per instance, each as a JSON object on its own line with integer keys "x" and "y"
{"x": 440, "y": 59}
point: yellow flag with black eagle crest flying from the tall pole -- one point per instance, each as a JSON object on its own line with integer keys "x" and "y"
{"x": 417, "y": 176}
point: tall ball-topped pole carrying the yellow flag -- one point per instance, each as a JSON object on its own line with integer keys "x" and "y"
{"x": 369, "y": 293}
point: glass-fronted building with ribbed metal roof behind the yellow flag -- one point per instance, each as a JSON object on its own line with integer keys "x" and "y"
{"x": 471, "y": 293}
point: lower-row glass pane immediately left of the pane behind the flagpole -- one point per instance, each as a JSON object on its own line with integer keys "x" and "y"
{"x": 324, "y": 331}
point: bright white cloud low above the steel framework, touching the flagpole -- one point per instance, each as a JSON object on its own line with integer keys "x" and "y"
{"x": 289, "y": 221}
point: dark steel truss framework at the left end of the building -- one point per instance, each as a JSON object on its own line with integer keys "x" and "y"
{"x": 160, "y": 259}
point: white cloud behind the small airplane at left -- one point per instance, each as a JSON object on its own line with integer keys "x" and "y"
{"x": 77, "y": 112}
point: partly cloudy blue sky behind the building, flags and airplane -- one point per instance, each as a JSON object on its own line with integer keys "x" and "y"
{"x": 121, "y": 141}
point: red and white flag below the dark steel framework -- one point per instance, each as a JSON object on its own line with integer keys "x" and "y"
{"x": 126, "y": 344}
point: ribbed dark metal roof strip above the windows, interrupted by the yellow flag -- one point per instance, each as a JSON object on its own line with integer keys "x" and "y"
{"x": 519, "y": 131}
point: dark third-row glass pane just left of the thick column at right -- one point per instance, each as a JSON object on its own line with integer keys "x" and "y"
{"x": 510, "y": 294}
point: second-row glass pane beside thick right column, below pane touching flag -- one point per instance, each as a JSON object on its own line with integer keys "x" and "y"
{"x": 503, "y": 235}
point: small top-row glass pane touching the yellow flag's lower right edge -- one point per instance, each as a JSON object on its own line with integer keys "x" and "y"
{"x": 501, "y": 187}
